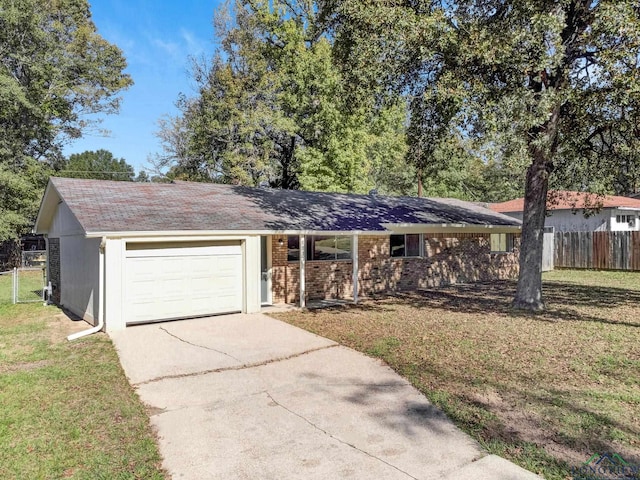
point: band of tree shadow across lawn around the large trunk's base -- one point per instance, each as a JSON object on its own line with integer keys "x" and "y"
{"x": 564, "y": 301}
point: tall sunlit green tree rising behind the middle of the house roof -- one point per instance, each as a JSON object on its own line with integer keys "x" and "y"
{"x": 272, "y": 107}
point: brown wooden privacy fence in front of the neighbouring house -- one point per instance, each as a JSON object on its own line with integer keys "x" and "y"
{"x": 597, "y": 250}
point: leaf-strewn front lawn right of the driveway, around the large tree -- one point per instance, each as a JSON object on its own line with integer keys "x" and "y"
{"x": 543, "y": 390}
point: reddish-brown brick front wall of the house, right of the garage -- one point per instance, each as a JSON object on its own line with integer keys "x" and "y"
{"x": 449, "y": 259}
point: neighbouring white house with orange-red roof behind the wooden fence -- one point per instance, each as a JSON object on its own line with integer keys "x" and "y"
{"x": 566, "y": 212}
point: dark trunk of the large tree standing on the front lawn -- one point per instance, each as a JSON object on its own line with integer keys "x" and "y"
{"x": 529, "y": 290}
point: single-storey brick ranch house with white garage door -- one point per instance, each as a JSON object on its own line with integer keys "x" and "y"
{"x": 142, "y": 252}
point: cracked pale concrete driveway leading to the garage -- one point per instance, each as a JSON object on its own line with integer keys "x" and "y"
{"x": 250, "y": 397}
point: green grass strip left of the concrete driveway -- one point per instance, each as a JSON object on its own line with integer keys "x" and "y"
{"x": 67, "y": 408}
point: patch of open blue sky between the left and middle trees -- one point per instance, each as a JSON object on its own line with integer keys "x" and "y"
{"x": 157, "y": 38}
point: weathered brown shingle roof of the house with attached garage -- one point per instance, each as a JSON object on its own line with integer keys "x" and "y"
{"x": 109, "y": 206}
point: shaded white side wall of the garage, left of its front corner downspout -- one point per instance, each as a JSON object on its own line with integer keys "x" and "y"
{"x": 79, "y": 259}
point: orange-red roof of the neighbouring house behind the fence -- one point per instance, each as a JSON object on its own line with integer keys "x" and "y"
{"x": 568, "y": 200}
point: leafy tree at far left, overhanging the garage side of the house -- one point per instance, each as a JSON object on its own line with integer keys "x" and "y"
{"x": 55, "y": 69}
